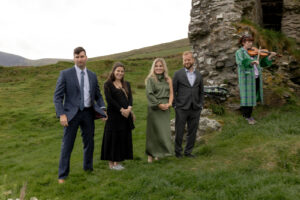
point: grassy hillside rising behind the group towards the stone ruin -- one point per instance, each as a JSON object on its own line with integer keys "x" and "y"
{"x": 161, "y": 50}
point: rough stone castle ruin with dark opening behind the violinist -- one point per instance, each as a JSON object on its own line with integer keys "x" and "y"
{"x": 214, "y": 36}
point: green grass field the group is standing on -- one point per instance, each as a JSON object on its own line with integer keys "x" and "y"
{"x": 240, "y": 162}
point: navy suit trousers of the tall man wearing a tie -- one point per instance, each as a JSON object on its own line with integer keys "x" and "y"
{"x": 85, "y": 120}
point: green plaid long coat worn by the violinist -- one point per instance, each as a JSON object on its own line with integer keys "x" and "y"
{"x": 246, "y": 73}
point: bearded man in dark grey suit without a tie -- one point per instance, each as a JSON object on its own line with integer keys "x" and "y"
{"x": 188, "y": 103}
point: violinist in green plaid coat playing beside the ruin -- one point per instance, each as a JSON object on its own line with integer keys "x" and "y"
{"x": 250, "y": 76}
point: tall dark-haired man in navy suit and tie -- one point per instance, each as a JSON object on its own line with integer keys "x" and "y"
{"x": 77, "y": 101}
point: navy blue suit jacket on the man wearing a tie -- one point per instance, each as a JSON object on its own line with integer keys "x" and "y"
{"x": 67, "y": 93}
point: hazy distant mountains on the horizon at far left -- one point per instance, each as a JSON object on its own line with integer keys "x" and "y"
{"x": 7, "y": 59}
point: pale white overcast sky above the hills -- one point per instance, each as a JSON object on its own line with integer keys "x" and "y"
{"x": 53, "y": 28}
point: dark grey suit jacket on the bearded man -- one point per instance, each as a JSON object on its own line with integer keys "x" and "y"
{"x": 186, "y": 95}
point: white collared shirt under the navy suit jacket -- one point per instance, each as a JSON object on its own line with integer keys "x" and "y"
{"x": 86, "y": 89}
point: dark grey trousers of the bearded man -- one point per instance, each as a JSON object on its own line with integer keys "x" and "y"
{"x": 191, "y": 117}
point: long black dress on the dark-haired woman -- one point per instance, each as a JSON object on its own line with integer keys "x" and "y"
{"x": 117, "y": 137}
